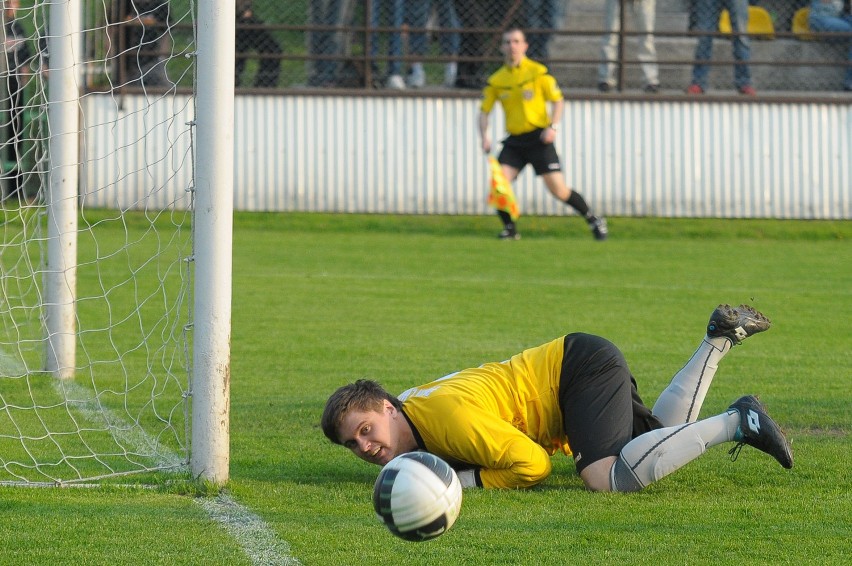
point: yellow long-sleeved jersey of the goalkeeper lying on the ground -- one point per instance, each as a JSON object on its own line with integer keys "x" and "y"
{"x": 503, "y": 418}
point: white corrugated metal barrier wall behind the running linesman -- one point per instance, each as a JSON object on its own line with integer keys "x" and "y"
{"x": 421, "y": 155}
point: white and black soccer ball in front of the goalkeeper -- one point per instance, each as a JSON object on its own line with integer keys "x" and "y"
{"x": 417, "y": 496}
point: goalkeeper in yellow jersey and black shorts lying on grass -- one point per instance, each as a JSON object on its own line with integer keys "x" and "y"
{"x": 498, "y": 424}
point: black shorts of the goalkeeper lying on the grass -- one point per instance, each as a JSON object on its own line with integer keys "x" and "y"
{"x": 601, "y": 407}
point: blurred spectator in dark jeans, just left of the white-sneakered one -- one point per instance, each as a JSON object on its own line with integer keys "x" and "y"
{"x": 326, "y": 13}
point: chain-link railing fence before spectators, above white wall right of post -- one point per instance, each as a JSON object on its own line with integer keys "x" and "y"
{"x": 775, "y": 47}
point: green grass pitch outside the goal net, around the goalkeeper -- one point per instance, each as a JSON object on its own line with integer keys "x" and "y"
{"x": 321, "y": 300}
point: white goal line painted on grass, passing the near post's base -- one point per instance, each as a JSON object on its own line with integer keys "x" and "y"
{"x": 259, "y": 542}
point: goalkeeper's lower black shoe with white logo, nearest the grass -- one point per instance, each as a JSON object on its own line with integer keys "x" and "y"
{"x": 758, "y": 430}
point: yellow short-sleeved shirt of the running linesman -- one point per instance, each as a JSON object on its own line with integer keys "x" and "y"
{"x": 524, "y": 92}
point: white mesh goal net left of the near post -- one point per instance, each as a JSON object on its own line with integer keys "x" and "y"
{"x": 96, "y": 246}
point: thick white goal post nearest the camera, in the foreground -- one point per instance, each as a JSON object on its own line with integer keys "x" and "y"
{"x": 213, "y": 242}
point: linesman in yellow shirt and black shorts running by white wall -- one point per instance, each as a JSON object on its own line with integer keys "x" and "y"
{"x": 524, "y": 87}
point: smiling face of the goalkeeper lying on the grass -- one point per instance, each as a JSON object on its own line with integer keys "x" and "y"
{"x": 373, "y": 436}
